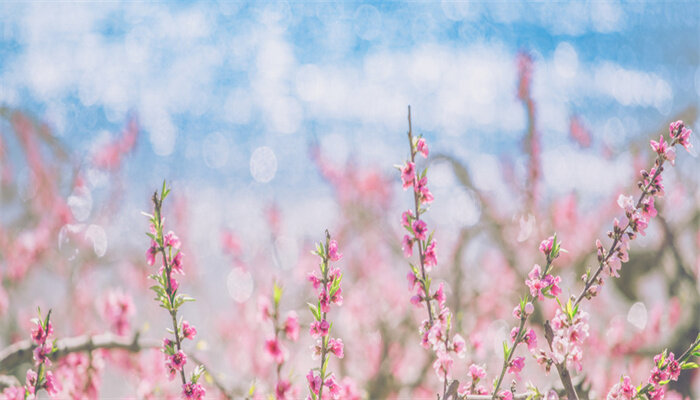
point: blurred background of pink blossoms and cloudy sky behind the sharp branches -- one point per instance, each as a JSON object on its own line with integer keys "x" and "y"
{"x": 273, "y": 121}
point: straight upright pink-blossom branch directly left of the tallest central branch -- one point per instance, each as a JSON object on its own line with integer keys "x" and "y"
{"x": 329, "y": 291}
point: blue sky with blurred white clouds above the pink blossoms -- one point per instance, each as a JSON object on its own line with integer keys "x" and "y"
{"x": 212, "y": 82}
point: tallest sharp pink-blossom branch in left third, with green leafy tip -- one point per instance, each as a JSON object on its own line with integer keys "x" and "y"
{"x": 166, "y": 294}
